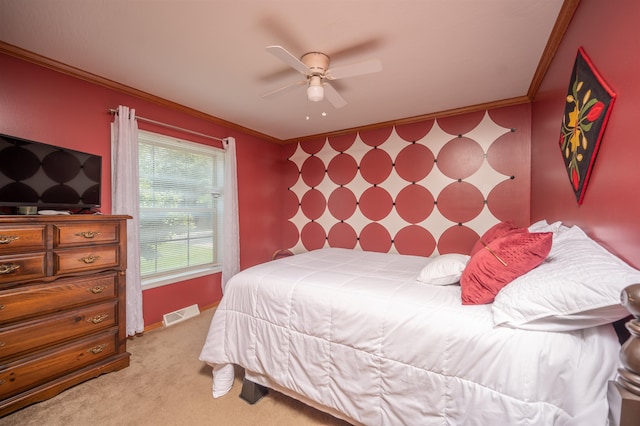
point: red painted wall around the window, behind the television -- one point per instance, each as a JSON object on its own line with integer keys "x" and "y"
{"x": 43, "y": 105}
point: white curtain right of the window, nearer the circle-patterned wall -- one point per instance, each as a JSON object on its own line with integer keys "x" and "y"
{"x": 231, "y": 227}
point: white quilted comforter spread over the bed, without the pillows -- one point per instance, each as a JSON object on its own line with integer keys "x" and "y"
{"x": 354, "y": 332}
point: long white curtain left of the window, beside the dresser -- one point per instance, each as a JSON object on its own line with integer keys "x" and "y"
{"x": 125, "y": 201}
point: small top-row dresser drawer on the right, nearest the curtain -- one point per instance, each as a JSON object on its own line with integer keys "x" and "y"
{"x": 82, "y": 234}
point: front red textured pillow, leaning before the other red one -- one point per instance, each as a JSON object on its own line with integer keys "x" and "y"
{"x": 503, "y": 260}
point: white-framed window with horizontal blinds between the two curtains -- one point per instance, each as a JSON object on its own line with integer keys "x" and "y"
{"x": 180, "y": 209}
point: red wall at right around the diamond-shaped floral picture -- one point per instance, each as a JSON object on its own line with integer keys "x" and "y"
{"x": 608, "y": 32}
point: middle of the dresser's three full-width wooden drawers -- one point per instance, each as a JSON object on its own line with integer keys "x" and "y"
{"x": 55, "y": 328}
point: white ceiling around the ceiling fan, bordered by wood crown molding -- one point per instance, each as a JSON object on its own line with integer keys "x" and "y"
{"x": 209, "y": 55}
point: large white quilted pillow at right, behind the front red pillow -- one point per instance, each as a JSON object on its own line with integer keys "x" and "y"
{"x": 577, "y": 286}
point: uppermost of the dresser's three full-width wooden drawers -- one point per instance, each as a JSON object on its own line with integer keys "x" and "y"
{"x": 43, "y": 298}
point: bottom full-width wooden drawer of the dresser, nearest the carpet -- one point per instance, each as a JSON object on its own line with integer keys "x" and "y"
{"x": 56, "y": 362}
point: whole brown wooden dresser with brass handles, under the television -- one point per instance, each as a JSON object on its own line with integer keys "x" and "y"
{"x": 62, "y": 303}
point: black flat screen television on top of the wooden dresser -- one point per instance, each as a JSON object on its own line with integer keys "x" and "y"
{"x": 47, "y": 176}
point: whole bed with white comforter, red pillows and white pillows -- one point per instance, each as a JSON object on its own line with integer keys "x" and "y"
{"x": 390, "y": 339}
